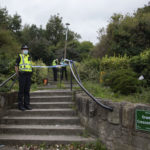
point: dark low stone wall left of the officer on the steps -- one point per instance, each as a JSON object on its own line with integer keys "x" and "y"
{"x": 6, "y": 101}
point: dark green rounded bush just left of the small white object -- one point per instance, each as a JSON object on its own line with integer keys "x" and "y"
{"x": 124, "y": 81}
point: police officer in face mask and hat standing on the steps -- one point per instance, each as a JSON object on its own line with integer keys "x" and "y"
{"x": 23, "y": 69}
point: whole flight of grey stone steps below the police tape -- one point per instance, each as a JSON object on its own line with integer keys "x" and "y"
{"x": 51, "y": 121}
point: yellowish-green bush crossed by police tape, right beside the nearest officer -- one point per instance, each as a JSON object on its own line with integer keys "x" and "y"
{"x": 39, "y": 73}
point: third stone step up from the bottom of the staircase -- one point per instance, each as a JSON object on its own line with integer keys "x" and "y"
{"x": 36, "y": 120}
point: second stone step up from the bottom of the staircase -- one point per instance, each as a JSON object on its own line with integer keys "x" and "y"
{"x": 42, "y": 129}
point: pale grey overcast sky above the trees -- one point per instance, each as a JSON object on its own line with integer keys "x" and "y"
{"x": 85, "y": 16}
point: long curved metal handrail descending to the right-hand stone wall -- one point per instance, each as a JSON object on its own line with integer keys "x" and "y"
{"x": 85, "y": 90}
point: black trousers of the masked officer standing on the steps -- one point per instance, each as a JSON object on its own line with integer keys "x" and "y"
{"x": 24, "y": 89}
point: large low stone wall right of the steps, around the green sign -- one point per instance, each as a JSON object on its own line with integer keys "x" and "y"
{"x": 115, "y": 129}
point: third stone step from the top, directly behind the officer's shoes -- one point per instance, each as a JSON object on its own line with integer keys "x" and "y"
{"x": 50, "y": 105}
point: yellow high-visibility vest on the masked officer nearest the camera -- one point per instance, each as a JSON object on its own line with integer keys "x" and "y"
{"x": 25, "y": 63}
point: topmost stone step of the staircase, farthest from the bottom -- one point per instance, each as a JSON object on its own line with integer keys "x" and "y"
{"x": 51, "y": 93}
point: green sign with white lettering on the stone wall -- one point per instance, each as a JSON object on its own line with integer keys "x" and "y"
{"x": 142, "y": 118}
